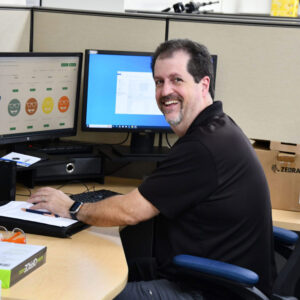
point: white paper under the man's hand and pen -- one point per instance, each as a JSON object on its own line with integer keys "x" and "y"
{"x": 14, "y": 210}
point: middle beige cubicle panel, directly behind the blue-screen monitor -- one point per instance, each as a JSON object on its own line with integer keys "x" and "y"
{"x": 77, "y": 31}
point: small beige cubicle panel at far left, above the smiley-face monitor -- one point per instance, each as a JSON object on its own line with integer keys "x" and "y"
{"x": 14, "y": 30}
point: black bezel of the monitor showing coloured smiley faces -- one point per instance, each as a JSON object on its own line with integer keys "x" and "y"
{"x": 7, "y": 139}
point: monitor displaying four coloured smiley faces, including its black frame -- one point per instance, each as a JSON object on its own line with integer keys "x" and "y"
{"x": 39, "y": 94}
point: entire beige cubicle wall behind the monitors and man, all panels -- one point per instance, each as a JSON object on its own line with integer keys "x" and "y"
{"x": 258, "y": 61}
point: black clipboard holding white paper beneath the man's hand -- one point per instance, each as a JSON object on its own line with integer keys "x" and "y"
{"x": 11, "y": 216}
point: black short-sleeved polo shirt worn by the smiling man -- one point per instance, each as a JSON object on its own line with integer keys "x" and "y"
{"x": 213, "y": 199}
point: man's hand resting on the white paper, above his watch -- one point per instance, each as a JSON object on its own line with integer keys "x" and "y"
{"x": 53, "y": 200}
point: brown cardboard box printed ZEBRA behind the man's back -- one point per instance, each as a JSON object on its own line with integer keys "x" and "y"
{"x": 281, "y": 163}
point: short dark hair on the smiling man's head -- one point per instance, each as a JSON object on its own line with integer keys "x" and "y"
{"x": 200, "y": 63}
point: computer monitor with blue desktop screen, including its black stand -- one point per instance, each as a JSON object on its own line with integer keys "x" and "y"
{"x": 119, "y": 96}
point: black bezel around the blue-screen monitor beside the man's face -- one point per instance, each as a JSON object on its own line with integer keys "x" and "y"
{"x": 84, "y": 126}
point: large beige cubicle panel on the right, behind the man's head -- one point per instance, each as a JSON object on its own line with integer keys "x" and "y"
{"x": 258, "y": 72}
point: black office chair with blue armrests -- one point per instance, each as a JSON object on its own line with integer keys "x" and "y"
{"x": 240, "y": 282}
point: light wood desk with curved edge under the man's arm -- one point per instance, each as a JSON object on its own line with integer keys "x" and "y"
{"x": 89, "y": 265}
